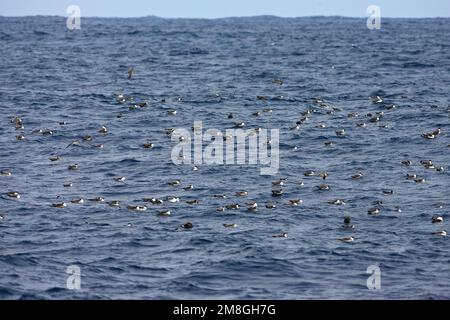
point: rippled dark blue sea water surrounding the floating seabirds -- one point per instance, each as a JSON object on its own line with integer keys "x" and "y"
{"x": 50, "y": 74}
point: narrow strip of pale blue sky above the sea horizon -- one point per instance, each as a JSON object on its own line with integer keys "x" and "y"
{"x": 226, "y": 8}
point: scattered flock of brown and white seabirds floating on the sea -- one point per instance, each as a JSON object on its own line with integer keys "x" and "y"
{"x": 251, "y": 206}
